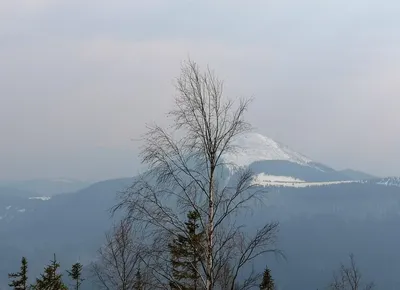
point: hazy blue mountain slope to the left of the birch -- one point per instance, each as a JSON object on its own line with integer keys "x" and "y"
{"x": 71, "y": 225}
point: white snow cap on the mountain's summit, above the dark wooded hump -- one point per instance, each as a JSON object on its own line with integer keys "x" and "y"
{"x": 252, "y": 147}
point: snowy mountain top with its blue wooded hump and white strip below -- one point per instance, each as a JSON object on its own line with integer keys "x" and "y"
{"x": 275, "y": 164}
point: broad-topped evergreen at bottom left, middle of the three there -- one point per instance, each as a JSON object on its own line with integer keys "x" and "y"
{"x": 50, "y": 279}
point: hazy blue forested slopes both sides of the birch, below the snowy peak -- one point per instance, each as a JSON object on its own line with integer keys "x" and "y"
{"x": 320, "y": 225}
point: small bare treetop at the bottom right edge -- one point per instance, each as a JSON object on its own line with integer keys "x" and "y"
{"x": 349, "y": 278}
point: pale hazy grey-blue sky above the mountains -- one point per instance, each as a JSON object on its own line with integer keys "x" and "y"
{"x": 79, "y": 79}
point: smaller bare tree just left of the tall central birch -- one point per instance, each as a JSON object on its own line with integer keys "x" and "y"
{"x": 119, "y": 259}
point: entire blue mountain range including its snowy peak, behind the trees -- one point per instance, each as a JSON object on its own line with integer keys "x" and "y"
{"x": 324, "y": 215}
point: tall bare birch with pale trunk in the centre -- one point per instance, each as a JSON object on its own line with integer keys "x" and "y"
{"x": 185, "y": 167}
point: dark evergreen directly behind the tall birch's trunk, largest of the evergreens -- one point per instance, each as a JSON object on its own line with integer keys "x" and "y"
{"x": 186, "y": 255}
